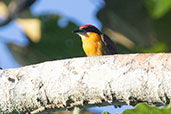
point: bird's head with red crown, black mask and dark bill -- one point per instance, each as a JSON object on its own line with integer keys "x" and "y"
{"x": 85, "y": 30}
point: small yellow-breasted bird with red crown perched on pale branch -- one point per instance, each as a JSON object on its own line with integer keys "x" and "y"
{"x": 94, "y": 42}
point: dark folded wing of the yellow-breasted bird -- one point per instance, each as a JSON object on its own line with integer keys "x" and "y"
{"x": 108, "y": 45}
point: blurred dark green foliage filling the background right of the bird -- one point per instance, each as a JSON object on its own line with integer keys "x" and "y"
{"x": 132, "y": 20}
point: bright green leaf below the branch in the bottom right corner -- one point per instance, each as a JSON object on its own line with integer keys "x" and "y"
{"x": 143, "y": 108}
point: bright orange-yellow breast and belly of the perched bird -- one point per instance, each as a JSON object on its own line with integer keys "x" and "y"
{"x": 92, "y": 44}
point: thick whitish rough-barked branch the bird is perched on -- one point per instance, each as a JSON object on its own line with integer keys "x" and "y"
{"x": 116, "y": 79}
